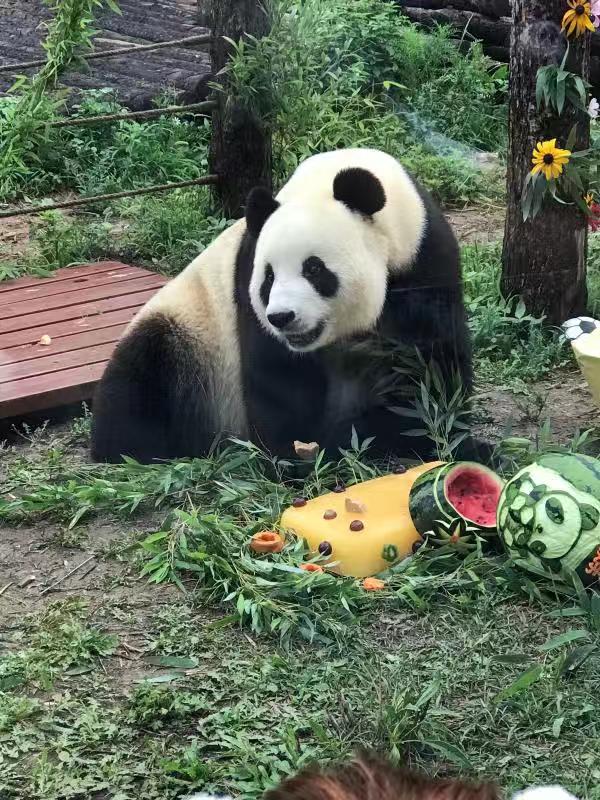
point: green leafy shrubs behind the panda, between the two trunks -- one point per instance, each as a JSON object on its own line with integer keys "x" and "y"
{"x": 344, "y": 73}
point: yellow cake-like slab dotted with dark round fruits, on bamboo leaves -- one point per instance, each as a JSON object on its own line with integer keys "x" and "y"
{"x": 363, "y": 528}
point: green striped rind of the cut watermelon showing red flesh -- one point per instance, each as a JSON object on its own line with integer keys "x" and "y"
{"x": 429, "y": 502}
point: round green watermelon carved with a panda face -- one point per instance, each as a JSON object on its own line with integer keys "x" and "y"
{"x": 549, "y": 516}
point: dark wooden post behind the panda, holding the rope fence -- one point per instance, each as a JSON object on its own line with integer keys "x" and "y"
{"x": 240, "y": 151}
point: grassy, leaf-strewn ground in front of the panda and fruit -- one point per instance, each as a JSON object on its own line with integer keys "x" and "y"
{"x": 130, "y": 689}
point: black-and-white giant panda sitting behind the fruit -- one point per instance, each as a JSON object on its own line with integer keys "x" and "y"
{"x": 260, "y": 336}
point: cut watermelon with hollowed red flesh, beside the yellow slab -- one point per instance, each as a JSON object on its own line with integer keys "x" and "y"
{"x": 463, "y": 490}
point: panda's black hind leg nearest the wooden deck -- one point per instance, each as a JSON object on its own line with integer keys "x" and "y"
{"x": 149, "y": 403}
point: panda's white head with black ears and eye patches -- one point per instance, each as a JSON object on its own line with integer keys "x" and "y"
{"x": 320, "y": 267}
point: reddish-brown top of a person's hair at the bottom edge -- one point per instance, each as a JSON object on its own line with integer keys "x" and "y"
{"x": 370, "y": 778}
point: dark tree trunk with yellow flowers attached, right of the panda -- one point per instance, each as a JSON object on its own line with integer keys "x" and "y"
{"x": 543, "y": 259}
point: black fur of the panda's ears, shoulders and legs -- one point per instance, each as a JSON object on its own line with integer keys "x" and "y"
{"x": 156, "y": 399}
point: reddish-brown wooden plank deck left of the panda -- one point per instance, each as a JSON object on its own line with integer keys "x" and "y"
{"x": 83, "y": 310}
